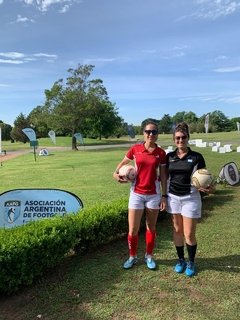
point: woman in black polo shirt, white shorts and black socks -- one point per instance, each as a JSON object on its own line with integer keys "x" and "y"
{"x": 184, "y": 200}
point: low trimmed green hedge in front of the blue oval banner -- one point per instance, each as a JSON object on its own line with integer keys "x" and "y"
{"x": 26, "y": 252}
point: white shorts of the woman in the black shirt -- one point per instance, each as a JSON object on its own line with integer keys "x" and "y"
{"x": 189, "y": 206}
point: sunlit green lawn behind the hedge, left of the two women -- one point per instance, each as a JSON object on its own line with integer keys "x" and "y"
{"x": 88, "y": 174}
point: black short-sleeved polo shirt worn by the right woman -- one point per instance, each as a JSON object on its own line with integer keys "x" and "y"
{"x": 181, "y": 170}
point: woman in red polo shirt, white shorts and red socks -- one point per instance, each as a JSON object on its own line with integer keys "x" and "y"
{"x": 148, "y": 192}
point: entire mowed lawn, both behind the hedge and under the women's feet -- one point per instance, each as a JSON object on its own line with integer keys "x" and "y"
{"x": 94, "y": 286}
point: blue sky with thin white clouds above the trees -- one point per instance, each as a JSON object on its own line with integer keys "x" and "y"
{"x": 155, "y": 57}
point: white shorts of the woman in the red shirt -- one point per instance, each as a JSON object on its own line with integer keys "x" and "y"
{"x": 141, "y": 201}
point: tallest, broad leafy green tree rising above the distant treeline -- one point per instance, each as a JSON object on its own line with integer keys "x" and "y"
{"x": 80, "y": 104}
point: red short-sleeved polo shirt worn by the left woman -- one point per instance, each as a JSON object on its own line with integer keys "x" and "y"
{"x": 147, "y": 165}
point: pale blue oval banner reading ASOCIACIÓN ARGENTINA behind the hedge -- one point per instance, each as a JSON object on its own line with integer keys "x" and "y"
{"x": 20, "y": 206}
